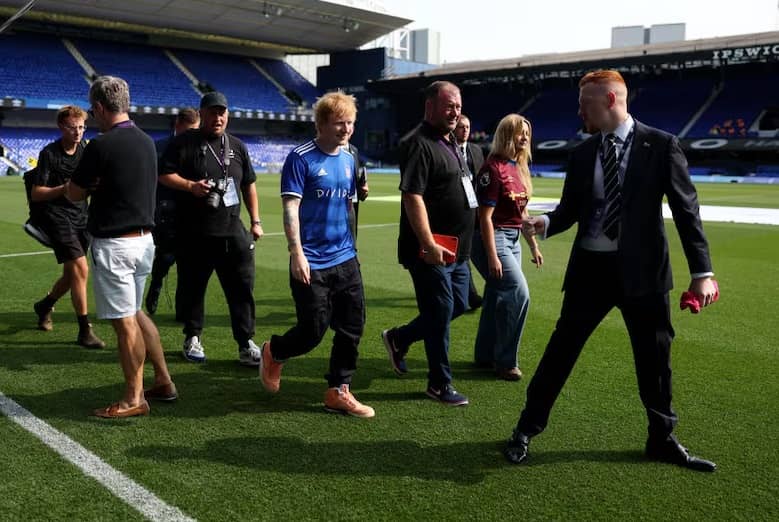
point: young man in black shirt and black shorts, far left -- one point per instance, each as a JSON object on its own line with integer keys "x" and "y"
{"x": 65, "y": 222}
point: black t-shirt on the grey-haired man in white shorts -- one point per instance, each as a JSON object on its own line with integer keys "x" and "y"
{"x": 119, "y": 167}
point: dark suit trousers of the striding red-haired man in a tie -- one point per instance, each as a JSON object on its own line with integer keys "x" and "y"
{"x": 590, "y": 294}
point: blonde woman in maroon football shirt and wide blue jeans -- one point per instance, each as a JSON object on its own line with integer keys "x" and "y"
{"x": 503, "y": 187}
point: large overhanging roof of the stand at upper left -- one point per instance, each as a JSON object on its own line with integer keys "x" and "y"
{"x": 287, "y": 25}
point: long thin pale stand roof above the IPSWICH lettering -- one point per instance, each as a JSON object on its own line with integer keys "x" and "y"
{"x": 599, "y": 55}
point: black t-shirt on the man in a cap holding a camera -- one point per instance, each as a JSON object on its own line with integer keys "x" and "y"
{"x": 193, "y": 155}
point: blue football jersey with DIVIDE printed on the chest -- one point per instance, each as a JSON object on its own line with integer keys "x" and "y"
{"x": 325, "y": 184}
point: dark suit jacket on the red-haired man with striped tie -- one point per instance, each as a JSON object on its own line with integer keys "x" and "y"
{"x": 657, "y": 167}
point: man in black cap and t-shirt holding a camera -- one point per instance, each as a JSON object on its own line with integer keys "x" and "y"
{"x": 211, "y": 170}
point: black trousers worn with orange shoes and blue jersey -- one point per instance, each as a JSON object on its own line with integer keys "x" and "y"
{"x": 334, "y": 299}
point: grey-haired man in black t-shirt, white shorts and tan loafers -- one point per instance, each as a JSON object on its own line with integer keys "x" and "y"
{"x": 119, "y": 171}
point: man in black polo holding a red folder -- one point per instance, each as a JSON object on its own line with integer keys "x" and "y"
{"x": 436, "y": 225}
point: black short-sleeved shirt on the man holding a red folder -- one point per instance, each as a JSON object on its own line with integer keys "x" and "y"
{"x": 431, "y": 166}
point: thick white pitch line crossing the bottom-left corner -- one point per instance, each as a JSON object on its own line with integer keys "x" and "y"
{"x": 123, "y": 487}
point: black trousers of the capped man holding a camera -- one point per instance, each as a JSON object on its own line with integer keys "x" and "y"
{"x": 233, "y": 260}
